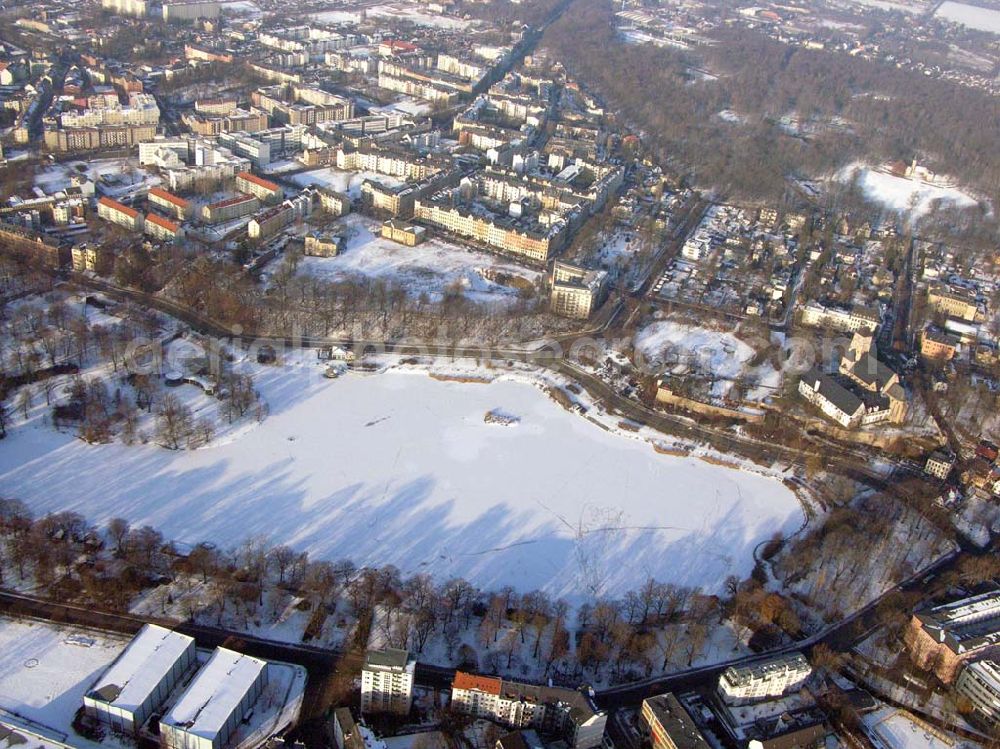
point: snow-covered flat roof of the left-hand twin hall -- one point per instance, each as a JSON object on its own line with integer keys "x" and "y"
{"x": 141, "y": 666}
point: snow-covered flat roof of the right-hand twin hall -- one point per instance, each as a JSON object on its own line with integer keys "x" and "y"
{"x": 215, "y": 693}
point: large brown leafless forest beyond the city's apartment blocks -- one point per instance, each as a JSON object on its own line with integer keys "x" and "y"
{"x": 855, "y": 110}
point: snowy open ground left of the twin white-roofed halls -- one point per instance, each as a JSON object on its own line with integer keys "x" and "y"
{"x": 43, "y": 676}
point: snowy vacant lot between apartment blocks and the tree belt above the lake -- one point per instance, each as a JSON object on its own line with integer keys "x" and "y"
{"x": 428, "y": 268}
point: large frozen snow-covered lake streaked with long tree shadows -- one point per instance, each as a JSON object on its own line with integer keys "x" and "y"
{"x": 400, "y": 468}
